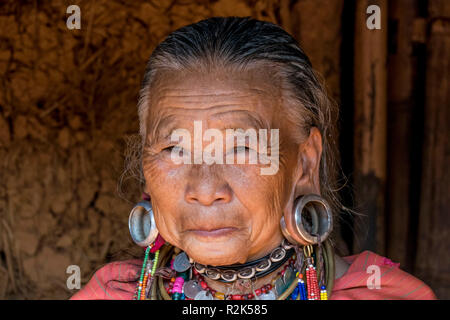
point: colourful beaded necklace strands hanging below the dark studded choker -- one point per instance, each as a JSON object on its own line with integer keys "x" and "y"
{"x": 176, "y": 288}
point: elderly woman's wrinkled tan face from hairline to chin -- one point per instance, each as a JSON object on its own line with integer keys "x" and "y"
{"x": 219, "y": 214}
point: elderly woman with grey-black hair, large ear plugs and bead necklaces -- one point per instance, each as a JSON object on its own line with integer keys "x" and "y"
{"x": 239, "y": 159}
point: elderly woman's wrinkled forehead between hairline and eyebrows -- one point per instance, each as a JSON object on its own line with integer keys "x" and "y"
{"x": 215, "y": 96}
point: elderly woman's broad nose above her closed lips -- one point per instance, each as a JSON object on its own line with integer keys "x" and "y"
{"x": 207, "y": 188}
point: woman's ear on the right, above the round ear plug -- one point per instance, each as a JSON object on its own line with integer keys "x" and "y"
{"x": 310, "y": 152}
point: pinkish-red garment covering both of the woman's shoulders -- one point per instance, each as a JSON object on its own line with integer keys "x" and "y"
{"x": 111, "y": 282}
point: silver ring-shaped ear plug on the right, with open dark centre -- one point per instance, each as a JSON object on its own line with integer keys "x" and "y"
{"x": 311, "y": 221}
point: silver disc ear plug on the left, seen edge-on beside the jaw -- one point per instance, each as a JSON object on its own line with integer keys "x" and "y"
{"x": 141, "y": 223}
